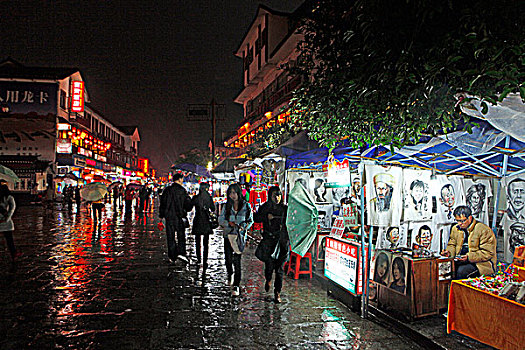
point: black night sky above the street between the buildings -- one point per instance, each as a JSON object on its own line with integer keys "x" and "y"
{"x": 143, "y": 61}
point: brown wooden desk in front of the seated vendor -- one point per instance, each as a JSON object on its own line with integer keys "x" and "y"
{"x": 427, "y": 290}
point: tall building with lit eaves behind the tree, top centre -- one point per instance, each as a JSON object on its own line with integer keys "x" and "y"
{"x": 269, "y": 44}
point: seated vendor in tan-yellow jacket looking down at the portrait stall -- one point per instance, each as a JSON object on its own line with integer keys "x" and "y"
{"x": 472, "y": 244}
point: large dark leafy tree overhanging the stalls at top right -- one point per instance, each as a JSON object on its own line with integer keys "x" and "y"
{"x": 386, "y": 72}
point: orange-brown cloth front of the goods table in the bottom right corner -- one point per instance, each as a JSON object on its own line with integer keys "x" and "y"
{"x": 486, "y": 317}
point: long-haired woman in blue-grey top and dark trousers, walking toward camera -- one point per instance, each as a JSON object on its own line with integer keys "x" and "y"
{"x": 236, "y": 218}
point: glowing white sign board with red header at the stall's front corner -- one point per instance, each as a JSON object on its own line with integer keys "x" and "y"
{"x": 342, "y": 264}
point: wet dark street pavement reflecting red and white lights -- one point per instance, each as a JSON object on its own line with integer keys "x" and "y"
{"x": 81, "y": 287}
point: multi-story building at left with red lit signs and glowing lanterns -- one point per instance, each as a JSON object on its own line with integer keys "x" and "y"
{"x": 49, "y": 129}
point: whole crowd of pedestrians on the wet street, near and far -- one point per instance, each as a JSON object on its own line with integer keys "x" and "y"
{"x": 235, "y": 219}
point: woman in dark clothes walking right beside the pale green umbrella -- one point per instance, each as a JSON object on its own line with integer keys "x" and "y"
{"x": 272, "y": 214}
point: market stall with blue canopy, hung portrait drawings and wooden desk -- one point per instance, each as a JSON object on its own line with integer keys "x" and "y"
{"x": 458, "y": 168}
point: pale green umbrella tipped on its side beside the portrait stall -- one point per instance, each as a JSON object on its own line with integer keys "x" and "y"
{"x": 301, "y": 220}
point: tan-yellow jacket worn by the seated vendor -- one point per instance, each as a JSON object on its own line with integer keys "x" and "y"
{"x": 481, "y": 246}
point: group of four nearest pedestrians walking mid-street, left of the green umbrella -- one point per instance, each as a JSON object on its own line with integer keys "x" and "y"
{"x": 235, "y": 219}
